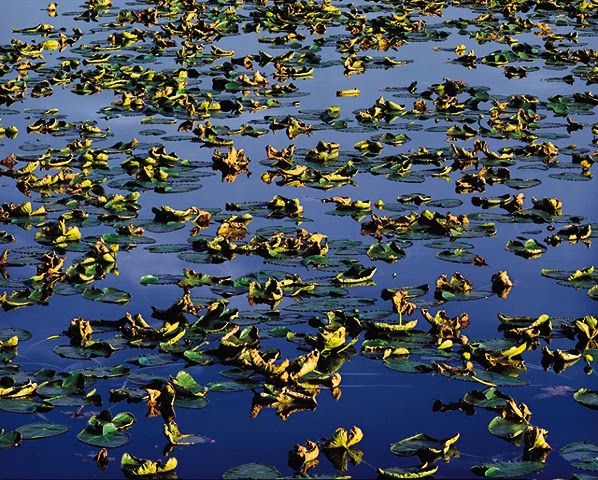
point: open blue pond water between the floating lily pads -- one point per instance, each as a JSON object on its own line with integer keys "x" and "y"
{"x": 388, "y": 406}
